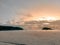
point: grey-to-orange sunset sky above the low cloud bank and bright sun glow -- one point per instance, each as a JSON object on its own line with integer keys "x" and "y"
{"x": 25, "y": 10}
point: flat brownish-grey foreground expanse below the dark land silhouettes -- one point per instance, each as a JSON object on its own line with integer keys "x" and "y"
{"x": 30, "y": 37}
